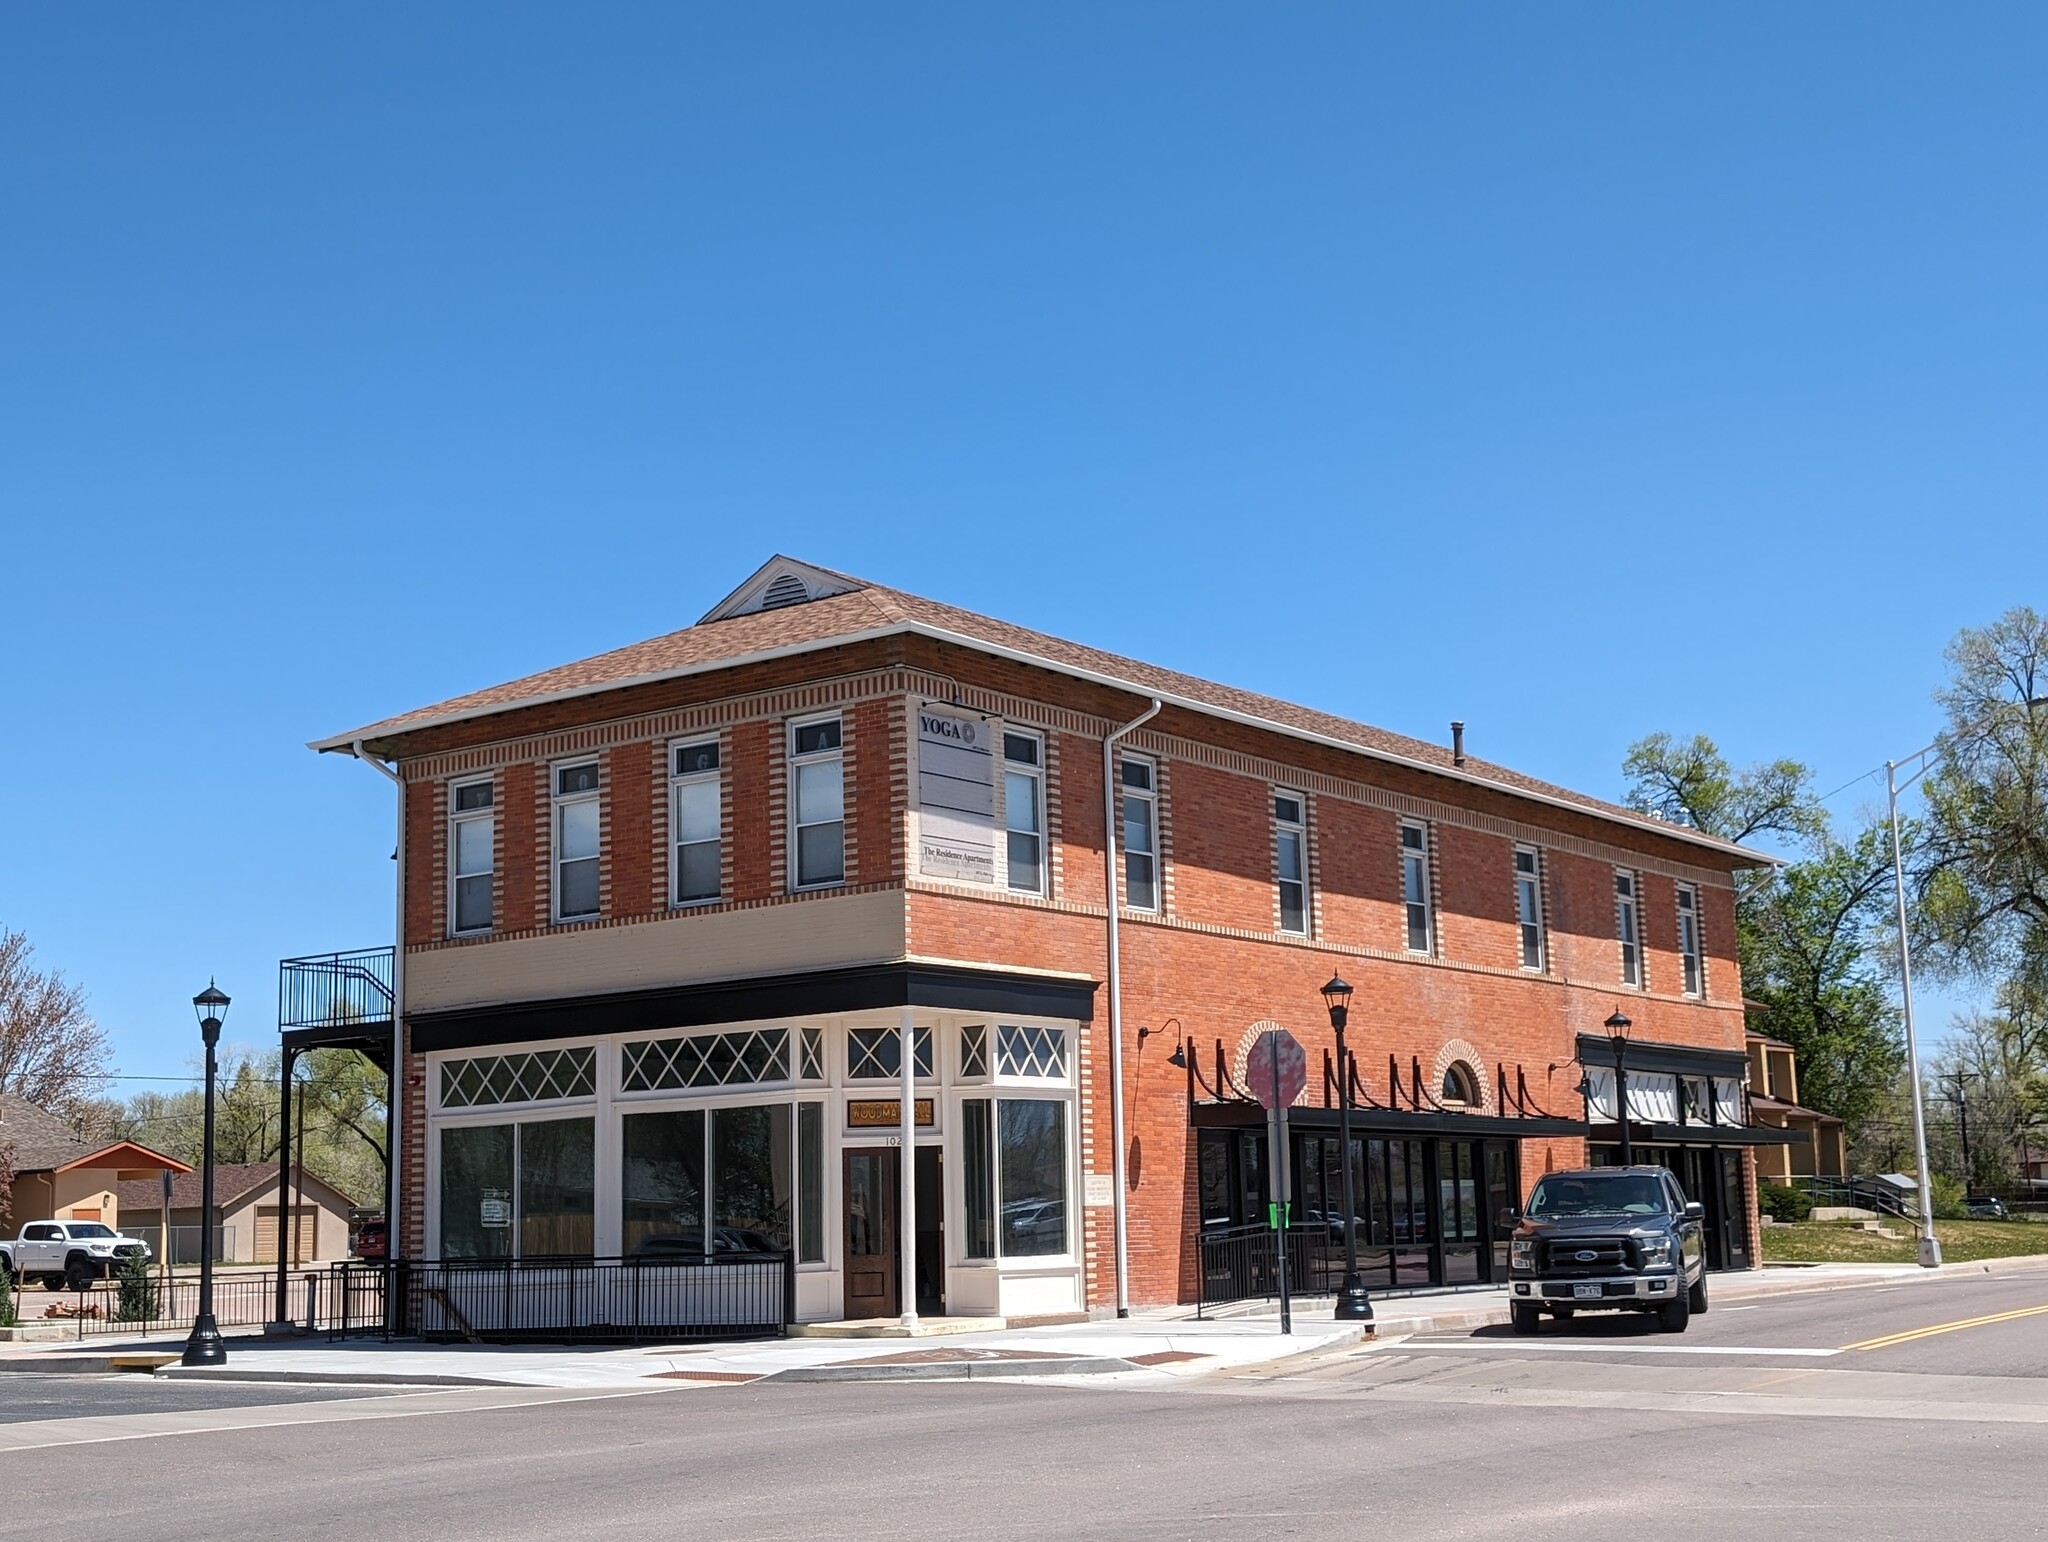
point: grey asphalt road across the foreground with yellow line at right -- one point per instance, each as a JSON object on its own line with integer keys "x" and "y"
{"x": 1590, "y": 1430}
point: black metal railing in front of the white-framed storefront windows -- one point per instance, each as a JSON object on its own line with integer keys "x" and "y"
{"x": 566, "y": 1301}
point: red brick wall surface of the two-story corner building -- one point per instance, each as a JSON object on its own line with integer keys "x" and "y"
{"x": 1213, "y": 955}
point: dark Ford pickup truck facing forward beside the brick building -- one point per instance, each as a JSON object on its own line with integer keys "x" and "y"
{"x": 1607, "y": 1240}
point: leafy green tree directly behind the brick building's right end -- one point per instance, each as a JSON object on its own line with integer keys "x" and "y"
{"x": 1811, "y": 933}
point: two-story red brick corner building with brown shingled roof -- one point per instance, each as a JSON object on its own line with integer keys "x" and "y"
{"x": 669, "y": 914}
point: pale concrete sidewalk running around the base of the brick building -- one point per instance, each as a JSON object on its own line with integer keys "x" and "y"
{"x": 1152, "y": 1348}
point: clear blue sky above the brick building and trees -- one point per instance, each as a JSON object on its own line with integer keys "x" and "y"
{"x": 1570, "y": 370}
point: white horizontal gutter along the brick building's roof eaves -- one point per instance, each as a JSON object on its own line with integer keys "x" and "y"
{"x": 345, "y": 742}
